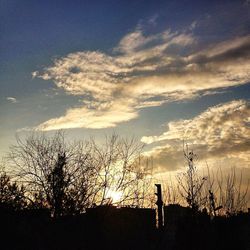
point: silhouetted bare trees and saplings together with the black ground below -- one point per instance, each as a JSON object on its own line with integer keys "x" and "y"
{"x": 59, "y": 196}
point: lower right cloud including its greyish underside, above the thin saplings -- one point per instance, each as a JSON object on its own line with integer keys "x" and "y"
{"x": 220, "y": 132}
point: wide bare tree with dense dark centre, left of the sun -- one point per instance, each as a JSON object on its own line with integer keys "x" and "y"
{"x": 55, "y": 173}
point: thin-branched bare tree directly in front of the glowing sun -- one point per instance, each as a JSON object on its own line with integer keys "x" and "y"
{"x": 121, "y": 170}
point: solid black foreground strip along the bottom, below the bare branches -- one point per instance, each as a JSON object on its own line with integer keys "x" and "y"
{"x": 108, "y": 227}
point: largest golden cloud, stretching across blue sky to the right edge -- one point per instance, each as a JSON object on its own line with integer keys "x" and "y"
{"x": 165, "y": 66}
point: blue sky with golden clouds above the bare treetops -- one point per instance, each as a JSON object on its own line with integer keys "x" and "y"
{"x": 166, "y": 72}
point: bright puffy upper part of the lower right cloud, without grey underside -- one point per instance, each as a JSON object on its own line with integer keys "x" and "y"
{"x": 215, "y": 126}
